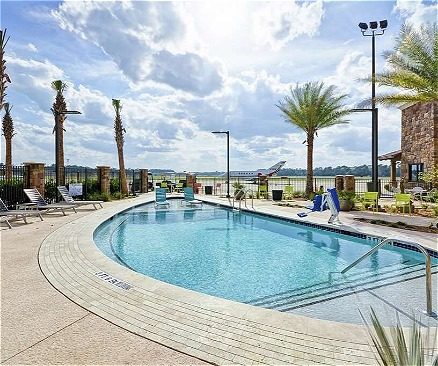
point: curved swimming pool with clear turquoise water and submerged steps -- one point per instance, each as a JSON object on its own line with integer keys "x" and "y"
{"x": 261, "y": 261}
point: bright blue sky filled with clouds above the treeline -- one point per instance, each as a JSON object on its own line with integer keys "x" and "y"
{"x": 184, "y": 69}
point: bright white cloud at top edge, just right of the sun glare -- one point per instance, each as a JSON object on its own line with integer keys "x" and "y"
{"x": 279, "y": 22}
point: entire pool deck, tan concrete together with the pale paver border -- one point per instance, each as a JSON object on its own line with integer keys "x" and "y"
{"x": 39, "y": 325}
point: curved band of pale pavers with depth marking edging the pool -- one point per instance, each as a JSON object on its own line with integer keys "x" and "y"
{"x": 210, "y": 328}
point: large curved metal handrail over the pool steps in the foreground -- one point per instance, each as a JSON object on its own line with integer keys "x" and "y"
{"x": 429, "y": 310}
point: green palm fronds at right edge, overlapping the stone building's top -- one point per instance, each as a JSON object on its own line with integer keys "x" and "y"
{"x": 414, "y": 66}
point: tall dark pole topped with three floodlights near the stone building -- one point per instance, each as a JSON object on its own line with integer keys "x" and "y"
{"x": 372, "y": 30}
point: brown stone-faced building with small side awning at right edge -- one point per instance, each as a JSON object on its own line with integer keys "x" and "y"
{"x": 419, "y": 142}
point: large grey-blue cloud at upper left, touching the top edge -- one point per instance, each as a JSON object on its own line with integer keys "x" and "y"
{"x": 142, "y": 38}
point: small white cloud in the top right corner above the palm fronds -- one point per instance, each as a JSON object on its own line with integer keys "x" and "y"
{"x": 417, "y": 12}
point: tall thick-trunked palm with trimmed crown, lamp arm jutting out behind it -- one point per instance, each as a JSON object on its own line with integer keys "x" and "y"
{"x": 57, "y": 109}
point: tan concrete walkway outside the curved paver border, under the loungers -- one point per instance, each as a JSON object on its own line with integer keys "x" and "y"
{"x": 40, "y": 326}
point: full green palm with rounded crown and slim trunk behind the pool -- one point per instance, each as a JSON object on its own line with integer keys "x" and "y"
{"x": 312, "y": 107}
